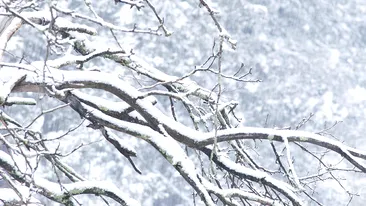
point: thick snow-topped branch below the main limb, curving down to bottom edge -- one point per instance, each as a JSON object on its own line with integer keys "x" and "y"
{"x": 169, "y": 148}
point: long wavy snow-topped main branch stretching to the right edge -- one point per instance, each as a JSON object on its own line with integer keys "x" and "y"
{"x": 188, "y": 136}
